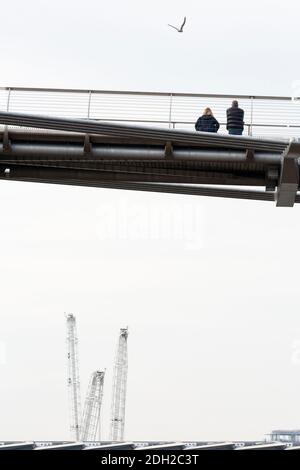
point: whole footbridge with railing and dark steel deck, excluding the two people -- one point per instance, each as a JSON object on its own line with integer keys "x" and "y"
{"x": 146, "y": 142}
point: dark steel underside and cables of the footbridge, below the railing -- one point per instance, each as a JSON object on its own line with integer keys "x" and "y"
{"x": 90, "y": 153}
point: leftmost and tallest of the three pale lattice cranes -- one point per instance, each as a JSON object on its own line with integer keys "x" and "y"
{"x": 73, "y": 378}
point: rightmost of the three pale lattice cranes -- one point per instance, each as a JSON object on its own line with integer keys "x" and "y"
{"x": 119, "y": 388}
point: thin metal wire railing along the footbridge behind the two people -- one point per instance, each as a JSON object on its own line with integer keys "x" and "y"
{"x": 268, "y": 116}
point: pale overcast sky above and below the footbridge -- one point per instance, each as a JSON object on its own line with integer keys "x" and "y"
{"x": 209, "y": 288}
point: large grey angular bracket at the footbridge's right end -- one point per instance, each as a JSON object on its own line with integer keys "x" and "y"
{"x": 289, "y": 177}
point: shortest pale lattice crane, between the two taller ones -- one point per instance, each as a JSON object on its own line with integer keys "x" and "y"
{"x": 92, "y": 408}
